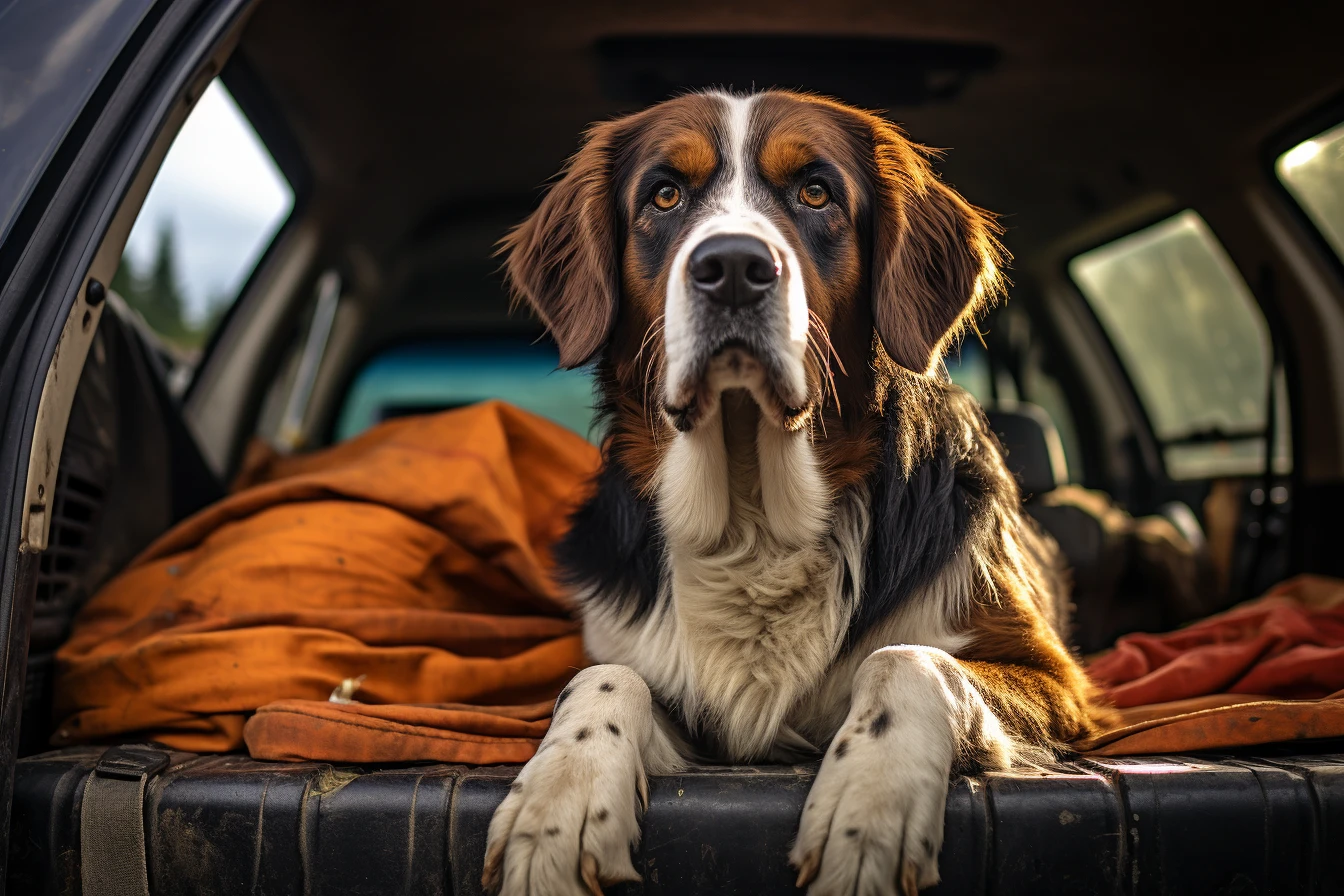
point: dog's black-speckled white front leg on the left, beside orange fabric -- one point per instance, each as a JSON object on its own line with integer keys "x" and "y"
{"x": 571, "y": 819}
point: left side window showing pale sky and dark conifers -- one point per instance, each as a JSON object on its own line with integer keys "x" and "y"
{"x": 213, "y": 210}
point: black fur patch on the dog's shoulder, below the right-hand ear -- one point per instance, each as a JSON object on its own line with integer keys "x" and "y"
{"x": 923, "y": 521}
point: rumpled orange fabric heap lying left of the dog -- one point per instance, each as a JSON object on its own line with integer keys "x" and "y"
{"x": 416, "y": 555}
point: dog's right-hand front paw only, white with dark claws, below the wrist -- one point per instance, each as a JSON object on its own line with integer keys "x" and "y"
{"x": 873, "y": 823}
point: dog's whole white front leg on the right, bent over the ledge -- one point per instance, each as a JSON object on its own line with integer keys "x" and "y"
{"x": 873, "y": 823}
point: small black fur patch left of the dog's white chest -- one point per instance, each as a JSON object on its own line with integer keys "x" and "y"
{"x": 615, "y": 547}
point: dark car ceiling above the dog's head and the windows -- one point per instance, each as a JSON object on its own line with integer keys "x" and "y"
{"x": 432, "y": 127}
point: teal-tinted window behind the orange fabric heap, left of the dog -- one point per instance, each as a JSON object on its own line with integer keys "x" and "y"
{"x": 437, "y": 377}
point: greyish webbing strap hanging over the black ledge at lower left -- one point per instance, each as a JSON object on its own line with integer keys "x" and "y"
{"x": 112, "y": 823}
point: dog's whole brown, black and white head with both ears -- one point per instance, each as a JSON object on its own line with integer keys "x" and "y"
{"x": 756, "y": 242}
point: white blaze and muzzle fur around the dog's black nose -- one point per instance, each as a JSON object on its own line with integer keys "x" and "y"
{"x": 733, "y": 209}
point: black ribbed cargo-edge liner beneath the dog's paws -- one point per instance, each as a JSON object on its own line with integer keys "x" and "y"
{"x": 1271, "y": 824}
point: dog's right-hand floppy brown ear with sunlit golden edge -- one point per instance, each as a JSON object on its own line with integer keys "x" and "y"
{"x": 936, "y": 259}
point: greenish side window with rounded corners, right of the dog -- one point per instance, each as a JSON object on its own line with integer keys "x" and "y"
{"x": 1193, "y": 341}
